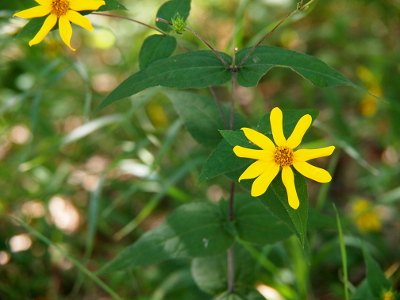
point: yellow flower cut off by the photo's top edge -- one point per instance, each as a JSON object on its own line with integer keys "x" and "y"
{"x": 63, "y": 10}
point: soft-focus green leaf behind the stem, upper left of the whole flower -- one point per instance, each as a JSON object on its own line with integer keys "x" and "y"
{"x": 202, "y": 117}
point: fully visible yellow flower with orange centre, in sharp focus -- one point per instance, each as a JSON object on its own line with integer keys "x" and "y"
{"x": 273, "y": 157}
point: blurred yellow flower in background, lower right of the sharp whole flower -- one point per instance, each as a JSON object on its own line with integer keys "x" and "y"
{"x": 366, "y": 217}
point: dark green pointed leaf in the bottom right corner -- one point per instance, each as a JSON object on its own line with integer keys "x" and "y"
{"x": 377, "y": 281}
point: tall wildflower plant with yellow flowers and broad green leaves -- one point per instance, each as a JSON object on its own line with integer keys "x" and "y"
{"x": 260, "y": 212}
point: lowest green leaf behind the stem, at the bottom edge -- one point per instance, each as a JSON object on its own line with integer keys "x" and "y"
{"x": 211, "y": 273}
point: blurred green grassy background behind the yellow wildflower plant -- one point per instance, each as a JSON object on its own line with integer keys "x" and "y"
{"x": 94, "y": 186}
